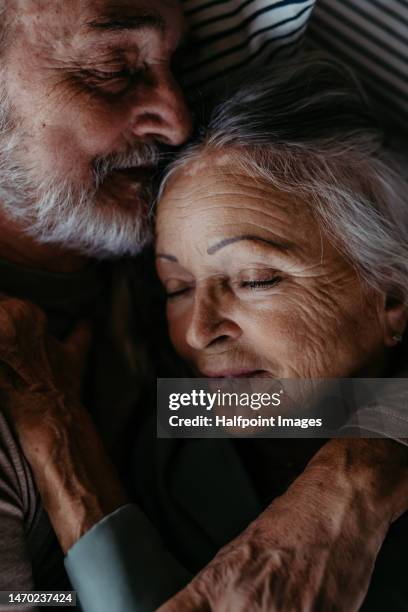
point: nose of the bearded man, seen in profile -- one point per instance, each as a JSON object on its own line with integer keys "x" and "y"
{"x": 161, "y": 112}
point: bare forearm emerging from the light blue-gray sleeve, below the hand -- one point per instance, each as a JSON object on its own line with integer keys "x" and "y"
{"x": 78, "y": 484}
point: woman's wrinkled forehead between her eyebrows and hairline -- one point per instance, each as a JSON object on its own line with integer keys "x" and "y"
{"x": 231, "y": 204}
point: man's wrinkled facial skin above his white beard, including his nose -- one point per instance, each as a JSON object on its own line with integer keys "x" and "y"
{"x": 82, "y": 91}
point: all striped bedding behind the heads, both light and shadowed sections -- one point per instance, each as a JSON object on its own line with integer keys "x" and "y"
{"x": 369, "y": 35}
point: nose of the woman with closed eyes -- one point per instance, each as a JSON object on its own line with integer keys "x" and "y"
{"x": 208, "y": 326}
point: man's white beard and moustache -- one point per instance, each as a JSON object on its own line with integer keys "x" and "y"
{"x": 74, "y": 217}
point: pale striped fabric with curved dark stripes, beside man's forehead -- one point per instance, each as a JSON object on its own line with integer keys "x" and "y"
{"x": 228, "y": 35}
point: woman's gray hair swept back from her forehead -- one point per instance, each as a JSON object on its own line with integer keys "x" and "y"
{"x": 306, "y": 128}
